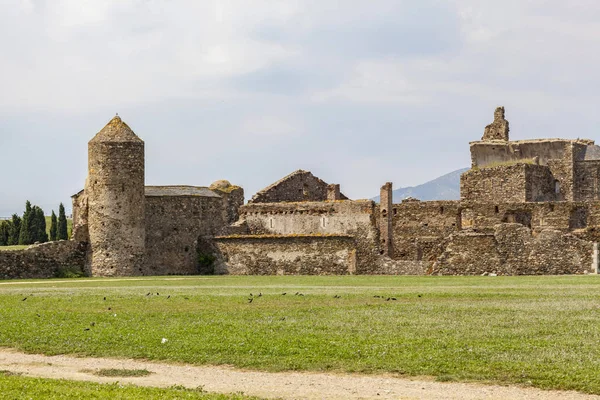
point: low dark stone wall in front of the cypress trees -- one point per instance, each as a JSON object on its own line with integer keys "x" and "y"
{"x": 45, "y": 260}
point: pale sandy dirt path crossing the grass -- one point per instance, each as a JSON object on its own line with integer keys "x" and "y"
{"x": 286, "y": 385}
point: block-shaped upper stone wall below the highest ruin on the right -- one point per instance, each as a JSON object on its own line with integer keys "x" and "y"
{"x": 508, "y": 183}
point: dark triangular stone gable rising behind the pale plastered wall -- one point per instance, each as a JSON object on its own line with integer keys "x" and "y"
{"x": 296, "y": 187}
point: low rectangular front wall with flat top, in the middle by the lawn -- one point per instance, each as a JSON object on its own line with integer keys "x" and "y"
{"x": 286, "y": 255}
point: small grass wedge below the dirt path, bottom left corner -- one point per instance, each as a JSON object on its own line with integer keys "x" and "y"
{"x": 17, "y": 387}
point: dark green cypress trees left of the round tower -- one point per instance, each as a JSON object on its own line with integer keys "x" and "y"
{"x": 31, "y": 227}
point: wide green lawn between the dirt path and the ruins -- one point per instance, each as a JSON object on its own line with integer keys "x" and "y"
{"x": 539, "y": 331}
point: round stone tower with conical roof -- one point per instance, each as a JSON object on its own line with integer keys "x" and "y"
{"x": 115, "y": 192}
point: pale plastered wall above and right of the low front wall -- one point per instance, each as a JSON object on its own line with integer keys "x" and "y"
{"x": 354, "y": 218}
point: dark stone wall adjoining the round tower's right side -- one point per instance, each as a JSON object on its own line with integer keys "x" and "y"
{"x": 173, "y": 227}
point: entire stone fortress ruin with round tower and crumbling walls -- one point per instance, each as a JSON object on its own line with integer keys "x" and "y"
{"x": 526, "y": 207}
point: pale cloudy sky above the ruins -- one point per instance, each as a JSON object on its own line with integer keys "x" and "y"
{"x": 359, "y": 92}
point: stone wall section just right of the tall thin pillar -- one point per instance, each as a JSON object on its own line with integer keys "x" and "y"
{"x": 421, "y": 227}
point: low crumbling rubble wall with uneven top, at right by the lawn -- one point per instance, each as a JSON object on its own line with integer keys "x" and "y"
{"x": 512, "y": 250}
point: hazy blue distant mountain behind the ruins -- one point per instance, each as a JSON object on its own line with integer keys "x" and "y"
{"x": 446, "y": 187}
